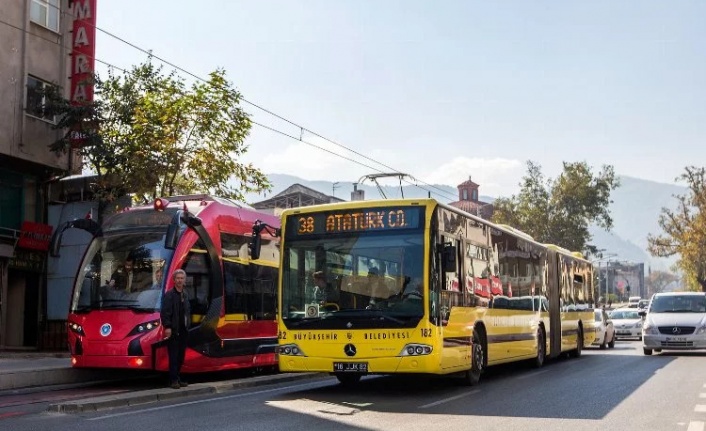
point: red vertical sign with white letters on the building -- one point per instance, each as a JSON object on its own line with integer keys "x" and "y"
{"x": 83, "y": 52}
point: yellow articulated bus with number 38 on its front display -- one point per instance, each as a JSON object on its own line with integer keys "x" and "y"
{"x": 417, "y": 286}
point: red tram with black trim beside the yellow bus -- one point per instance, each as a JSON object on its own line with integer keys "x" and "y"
{"x": 114, "y": 319}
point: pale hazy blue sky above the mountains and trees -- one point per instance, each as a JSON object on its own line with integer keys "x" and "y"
{"x": 444, "y": 89}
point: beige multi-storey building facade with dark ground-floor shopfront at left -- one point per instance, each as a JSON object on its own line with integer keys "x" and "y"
{"x": 34, "y": 55}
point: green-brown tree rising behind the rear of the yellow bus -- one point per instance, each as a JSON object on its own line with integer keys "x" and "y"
{"x": 559, "y": 211}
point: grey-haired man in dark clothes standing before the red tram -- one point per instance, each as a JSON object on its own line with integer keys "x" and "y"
{"x": 176, "y": 318}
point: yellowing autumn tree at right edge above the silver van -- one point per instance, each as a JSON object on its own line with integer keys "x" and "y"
{"x": 684, "y": 230}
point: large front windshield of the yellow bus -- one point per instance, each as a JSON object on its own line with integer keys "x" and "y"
{"x": 373, "y": 279}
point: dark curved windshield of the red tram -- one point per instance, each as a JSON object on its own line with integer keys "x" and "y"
{"x": 122, "y": 270}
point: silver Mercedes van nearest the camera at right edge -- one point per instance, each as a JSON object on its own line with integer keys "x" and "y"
{"x": 675, "y": 321}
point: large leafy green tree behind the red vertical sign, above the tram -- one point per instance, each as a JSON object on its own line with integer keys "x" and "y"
{"x": 150, "y": 134}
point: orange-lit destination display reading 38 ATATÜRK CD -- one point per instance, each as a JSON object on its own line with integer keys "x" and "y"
{"x": 355, "y": 220}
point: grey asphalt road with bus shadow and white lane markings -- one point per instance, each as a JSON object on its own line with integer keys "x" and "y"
{"x": 614, "y": 389}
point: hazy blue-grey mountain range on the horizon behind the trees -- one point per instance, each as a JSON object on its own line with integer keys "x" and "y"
{"x": 635, "y": 209}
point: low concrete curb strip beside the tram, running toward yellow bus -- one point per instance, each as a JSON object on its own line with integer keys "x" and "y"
{"x": 164, "y": 394}
